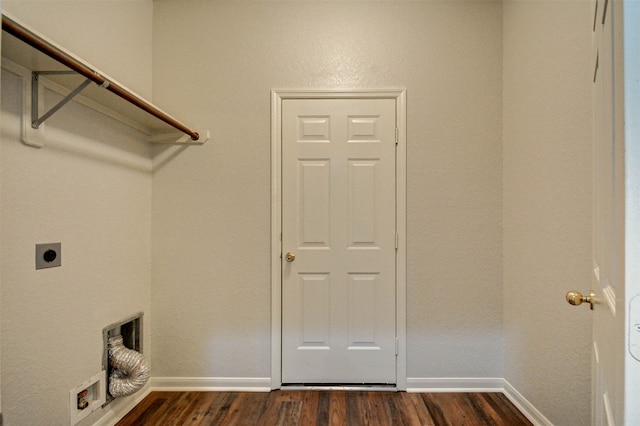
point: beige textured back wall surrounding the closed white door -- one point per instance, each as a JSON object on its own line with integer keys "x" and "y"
{"x": 211, "y": 204}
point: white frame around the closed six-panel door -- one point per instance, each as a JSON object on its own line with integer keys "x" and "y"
{"x": 277, "y": 96}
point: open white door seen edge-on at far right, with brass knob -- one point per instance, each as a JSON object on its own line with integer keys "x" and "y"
{"x": 609, "y": 221}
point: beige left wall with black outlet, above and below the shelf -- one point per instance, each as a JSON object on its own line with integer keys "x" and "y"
{"x": 89, "y": 188}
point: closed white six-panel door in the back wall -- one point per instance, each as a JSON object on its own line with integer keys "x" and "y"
{"x": 338, "y": 241}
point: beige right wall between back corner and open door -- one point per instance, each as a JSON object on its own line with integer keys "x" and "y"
{"x": 547, "y": 204}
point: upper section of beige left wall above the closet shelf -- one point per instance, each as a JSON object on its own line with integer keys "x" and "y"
{"x": 113, "y": 36}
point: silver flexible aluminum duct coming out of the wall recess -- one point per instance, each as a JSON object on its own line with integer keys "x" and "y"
{"x": 131, "y": 370}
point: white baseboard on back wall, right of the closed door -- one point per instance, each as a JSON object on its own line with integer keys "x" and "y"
{"x": 455, "y": 384}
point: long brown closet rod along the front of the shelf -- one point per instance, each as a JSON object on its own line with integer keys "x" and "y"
{"x": 53, "y": 52}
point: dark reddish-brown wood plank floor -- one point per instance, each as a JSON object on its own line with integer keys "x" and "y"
{"x": 324, "y": 408}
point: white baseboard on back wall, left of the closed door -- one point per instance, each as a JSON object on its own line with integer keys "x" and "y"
{"x": 219, "y": 384}
